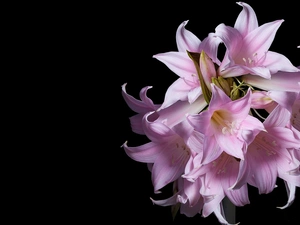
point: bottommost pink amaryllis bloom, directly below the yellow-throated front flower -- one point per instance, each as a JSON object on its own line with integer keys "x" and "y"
{"x": 216, "y": 178}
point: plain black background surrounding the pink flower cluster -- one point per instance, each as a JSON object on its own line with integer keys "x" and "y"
{"x": 71, "y": 120}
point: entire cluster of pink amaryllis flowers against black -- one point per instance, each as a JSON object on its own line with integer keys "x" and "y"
{"x": 224, "y": 123}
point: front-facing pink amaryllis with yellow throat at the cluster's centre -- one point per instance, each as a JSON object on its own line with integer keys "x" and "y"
{"x": 226, "y": 125}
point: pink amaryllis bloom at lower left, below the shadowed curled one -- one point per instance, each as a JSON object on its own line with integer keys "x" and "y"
{"x": 167, "y": 151}
